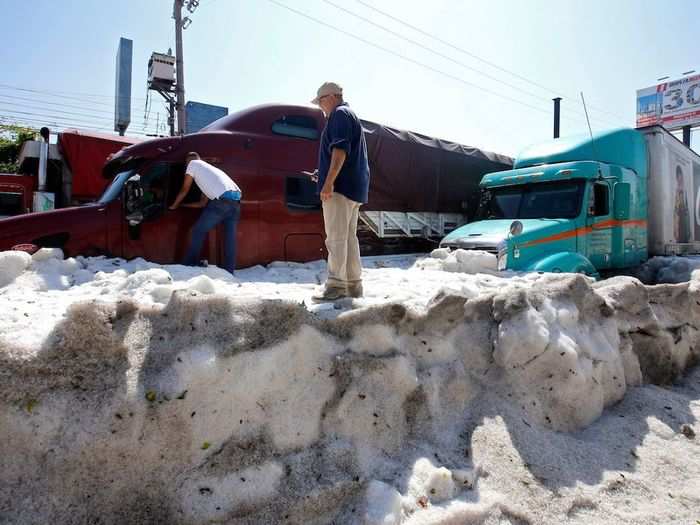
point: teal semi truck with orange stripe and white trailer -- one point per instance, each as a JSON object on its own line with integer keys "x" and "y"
{"x": 589, "y": 204}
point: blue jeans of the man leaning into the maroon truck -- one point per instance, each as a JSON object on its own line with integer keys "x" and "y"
{"x": 215, "y": 212}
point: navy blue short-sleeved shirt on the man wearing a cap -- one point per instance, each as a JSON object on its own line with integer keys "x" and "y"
{"x": 344, "y": 130}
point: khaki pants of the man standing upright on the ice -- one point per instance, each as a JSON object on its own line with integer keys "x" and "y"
{"x": 340, "y": 216}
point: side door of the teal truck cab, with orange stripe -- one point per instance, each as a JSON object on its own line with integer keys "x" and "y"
{"x": 600, "y": 225}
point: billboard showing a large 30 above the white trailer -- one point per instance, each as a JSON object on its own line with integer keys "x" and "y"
{"x": 672, "y": 104}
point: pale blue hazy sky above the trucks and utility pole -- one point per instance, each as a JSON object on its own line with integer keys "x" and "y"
{"x": 479, "y": 73}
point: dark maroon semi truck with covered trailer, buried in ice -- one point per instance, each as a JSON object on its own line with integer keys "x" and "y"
{"x": 420, "y": 180}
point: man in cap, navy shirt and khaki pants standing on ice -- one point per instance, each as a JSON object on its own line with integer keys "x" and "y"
{"x": 343, "y": 183}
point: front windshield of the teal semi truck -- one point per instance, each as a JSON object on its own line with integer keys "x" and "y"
{"x": 544, "y": 200}
